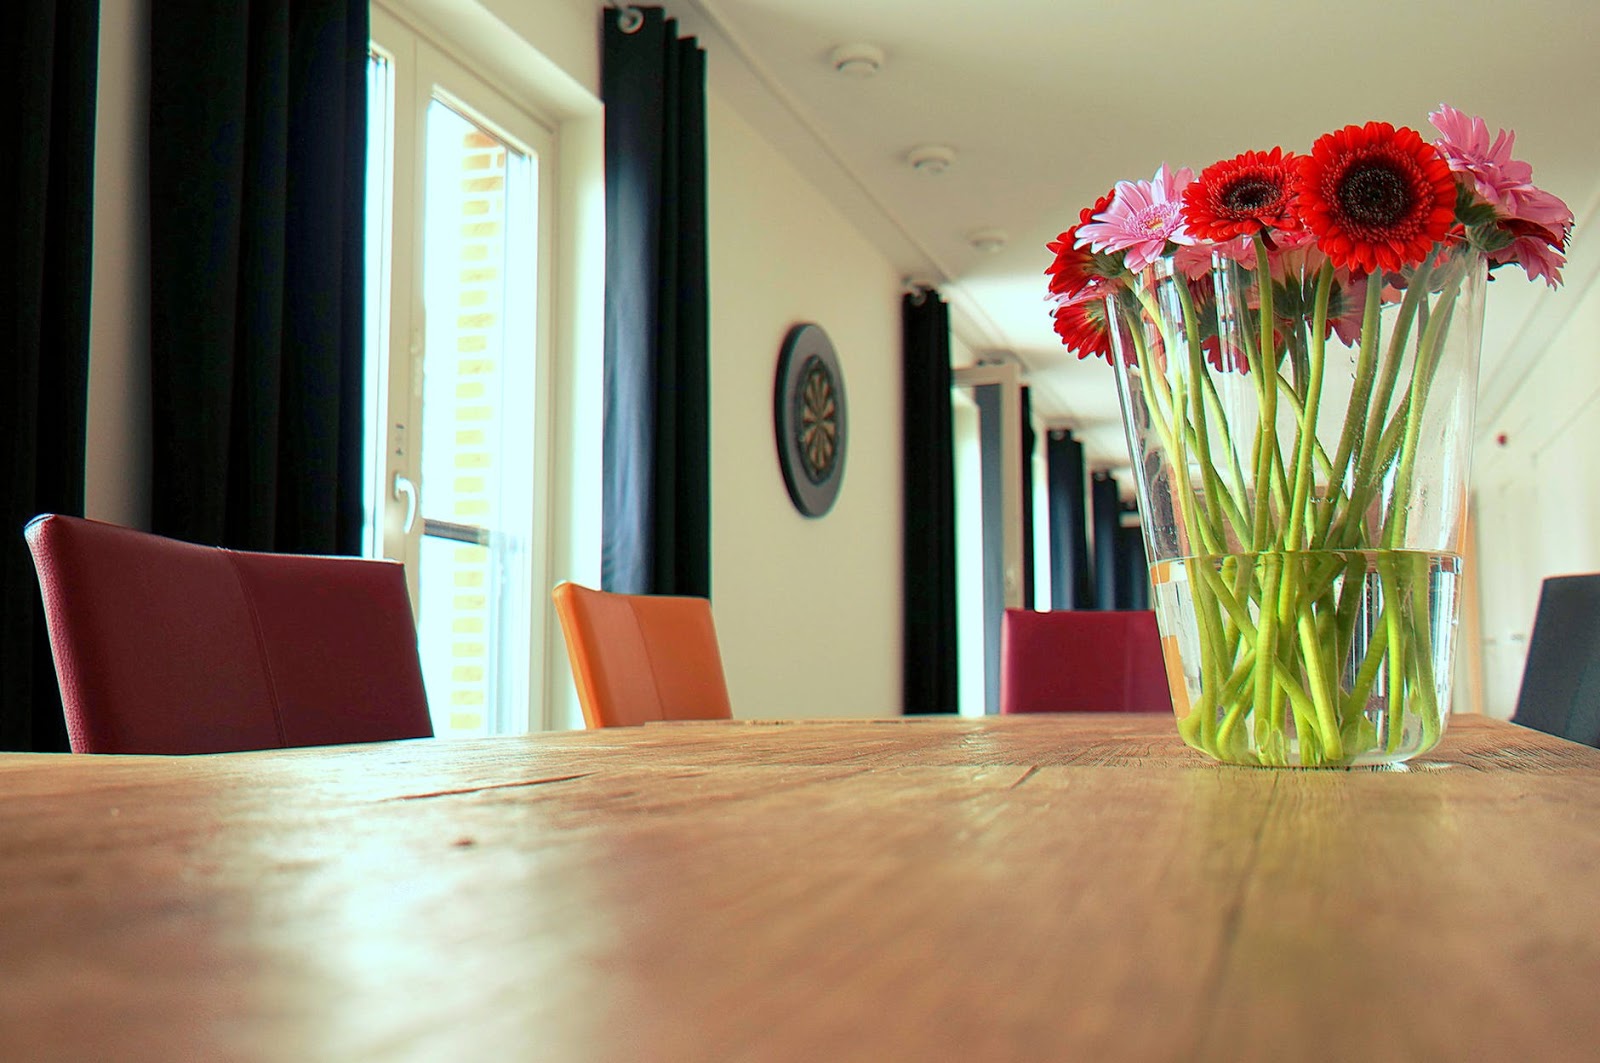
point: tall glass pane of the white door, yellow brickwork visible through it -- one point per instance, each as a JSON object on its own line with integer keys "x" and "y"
{"x": 476, "y": 487}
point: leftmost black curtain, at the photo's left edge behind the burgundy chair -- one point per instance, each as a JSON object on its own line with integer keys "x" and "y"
{"x": 47, "y": 187}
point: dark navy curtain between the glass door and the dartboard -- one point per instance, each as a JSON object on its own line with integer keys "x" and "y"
{"x": 657, "y": 462}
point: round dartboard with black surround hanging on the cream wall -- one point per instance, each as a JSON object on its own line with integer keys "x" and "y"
{"x": 809, "y": 414}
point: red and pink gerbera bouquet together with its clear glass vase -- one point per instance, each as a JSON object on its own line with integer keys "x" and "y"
{"x": 1297, "y": 342}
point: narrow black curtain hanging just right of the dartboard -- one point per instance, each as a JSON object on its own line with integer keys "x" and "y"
{"x": 930, "y": 507}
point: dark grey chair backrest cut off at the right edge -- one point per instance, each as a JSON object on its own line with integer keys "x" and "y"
{"x": 1561, "y": 681}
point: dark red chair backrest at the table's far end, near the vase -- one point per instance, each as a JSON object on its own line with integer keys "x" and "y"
{"x": 1082, "y": 660}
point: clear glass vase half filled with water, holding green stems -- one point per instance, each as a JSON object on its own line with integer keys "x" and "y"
{"x": 1302, "y": 455}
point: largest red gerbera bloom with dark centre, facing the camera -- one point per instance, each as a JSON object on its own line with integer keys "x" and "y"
{"x": 1377, "y": 198}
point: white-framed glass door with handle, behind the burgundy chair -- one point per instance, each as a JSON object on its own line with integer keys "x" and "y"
{"x": 455, "y": 467}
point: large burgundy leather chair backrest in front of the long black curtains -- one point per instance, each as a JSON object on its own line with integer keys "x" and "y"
{"x": 170, "y": 648}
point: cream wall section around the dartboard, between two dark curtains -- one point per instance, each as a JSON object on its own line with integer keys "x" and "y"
{"x": 809, "y": 611}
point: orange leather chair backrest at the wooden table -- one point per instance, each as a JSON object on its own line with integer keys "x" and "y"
{"x": 642, "y": 657}
